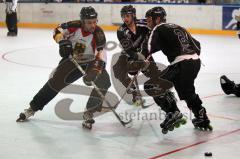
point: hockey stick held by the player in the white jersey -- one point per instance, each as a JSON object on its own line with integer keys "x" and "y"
{"x": 102, "y": 96}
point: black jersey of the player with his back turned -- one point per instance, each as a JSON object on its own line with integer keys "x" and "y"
{"x": 173, "y": 40}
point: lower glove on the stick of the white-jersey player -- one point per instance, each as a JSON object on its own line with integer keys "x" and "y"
{"x": 93, "y": 71}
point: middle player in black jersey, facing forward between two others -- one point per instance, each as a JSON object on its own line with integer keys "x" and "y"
{"x": 133, "y": 36}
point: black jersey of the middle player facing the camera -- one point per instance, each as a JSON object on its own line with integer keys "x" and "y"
{"x": 134, "y": 42}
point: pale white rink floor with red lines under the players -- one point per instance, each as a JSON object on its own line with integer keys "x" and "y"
{"x": 25, "y": 65}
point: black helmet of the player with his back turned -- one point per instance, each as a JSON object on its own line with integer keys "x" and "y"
{"x": 157, "y": 12}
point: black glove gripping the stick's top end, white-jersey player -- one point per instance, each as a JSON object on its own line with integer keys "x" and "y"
{"x": 65, "y": 48}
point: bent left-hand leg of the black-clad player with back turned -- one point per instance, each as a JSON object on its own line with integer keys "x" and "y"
{"x": 165, "y": 98}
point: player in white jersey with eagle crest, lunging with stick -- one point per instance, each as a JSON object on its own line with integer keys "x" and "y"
{"x": 84, "y": 41}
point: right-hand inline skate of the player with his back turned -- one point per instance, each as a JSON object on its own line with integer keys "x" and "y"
{"x": 201, "y": 121}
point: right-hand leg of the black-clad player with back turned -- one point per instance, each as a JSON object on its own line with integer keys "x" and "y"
{"x": 186, "y": 90}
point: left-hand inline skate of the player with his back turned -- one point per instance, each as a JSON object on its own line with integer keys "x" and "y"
{"x": 172, "y": 120}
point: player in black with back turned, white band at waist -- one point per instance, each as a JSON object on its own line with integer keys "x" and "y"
{"x": 182, "y": 51}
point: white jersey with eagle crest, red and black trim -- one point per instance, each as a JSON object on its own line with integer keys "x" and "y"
{"x": 84, "y": 43}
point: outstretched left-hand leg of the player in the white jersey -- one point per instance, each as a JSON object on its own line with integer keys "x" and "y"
{"x": 65, "y": 73}
